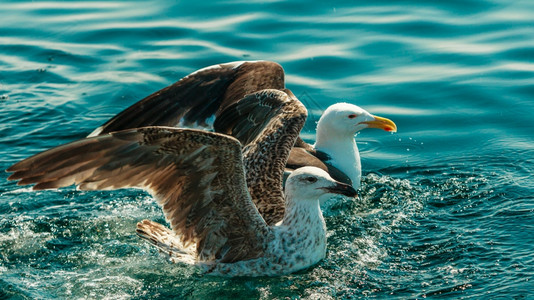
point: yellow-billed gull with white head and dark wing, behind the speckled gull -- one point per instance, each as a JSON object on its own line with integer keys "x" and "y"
{"x": 213, "y": 98}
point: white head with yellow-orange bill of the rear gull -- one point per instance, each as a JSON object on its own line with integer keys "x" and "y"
{"x": 345, "y": 119}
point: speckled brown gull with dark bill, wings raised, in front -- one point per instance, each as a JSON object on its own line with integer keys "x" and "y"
{"x": 198, "y": 178}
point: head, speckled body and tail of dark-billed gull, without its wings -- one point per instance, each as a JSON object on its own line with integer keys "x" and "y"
{"x": 296, "y": 243}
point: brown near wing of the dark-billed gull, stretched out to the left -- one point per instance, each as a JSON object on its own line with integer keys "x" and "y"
{"x": 196, "y": 176}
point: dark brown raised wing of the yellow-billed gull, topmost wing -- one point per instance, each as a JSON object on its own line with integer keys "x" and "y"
{"x": 198, "y": 96}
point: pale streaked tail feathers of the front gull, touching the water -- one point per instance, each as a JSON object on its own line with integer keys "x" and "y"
{"x": 166, "y": 241}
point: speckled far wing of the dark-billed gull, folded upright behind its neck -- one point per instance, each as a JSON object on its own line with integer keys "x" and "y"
{"x": 268, "y": 122}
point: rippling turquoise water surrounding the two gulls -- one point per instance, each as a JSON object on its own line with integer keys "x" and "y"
{"x": 446, "y": 208}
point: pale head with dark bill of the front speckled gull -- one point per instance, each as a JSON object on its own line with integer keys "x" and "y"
{"x": 312, "y": 183}
